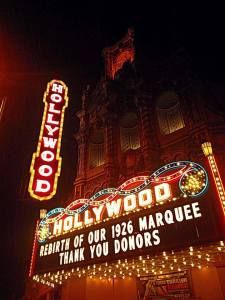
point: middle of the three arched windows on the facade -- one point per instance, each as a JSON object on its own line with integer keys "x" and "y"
{"x": 129, "y": 134}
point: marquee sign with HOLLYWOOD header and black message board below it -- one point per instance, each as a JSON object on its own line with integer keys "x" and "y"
{"x": 167, "y": 210}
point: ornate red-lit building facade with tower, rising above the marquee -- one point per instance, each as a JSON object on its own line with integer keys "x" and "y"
{"x": 130, "y": 127}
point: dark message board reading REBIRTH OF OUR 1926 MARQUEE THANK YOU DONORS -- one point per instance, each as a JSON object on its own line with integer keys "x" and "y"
{"x": 188, "y": 222}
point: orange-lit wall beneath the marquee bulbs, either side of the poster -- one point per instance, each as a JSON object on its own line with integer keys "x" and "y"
{"x": 207, "y": 284}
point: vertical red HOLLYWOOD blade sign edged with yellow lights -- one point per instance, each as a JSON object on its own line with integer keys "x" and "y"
{"x": 46, "y": 162}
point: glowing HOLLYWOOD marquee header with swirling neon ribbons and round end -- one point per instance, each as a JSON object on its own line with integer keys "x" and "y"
{"x": 186, "y": 178}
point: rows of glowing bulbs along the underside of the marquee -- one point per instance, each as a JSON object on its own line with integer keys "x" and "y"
{"x": 165, "y": 262}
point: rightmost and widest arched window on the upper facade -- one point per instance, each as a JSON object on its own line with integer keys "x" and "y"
{"x": 169, "y": 113}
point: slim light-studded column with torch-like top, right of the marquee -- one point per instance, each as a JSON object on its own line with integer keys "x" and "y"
{"x": 208, "y": 152}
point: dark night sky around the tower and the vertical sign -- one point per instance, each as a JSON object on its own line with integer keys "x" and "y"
{"x": 43, "y": 40}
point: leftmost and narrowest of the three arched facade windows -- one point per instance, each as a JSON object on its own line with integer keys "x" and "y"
{"x": 96, "y": 148}
